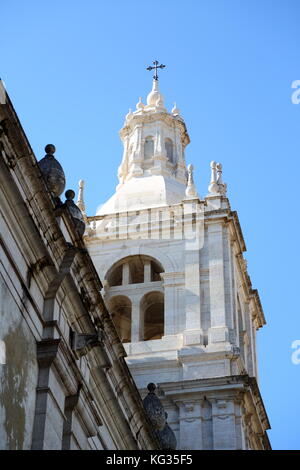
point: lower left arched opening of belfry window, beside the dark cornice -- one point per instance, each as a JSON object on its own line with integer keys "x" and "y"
{"x": 120, "y": 310}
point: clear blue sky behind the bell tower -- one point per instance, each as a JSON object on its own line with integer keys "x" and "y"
{"x": 73, "y": 69}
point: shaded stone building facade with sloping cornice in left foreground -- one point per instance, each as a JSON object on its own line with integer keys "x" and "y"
{"x": 55, "y": 392}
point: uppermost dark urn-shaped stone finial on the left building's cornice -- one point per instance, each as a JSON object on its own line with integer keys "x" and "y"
{"x": 52, "y": 171}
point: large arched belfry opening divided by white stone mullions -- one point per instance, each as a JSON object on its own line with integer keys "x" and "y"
{"x": 134, "y": 294}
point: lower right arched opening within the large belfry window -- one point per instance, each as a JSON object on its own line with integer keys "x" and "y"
{"x": 152, "y": 309}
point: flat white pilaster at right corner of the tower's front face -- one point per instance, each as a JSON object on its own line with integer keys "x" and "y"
{"x": 219, "y": 330}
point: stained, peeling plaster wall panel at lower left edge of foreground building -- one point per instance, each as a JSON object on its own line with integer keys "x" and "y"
{"x": 18, "y": 377}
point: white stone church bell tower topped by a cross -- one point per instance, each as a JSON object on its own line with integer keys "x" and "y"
{"x": 176, "y": 284}
